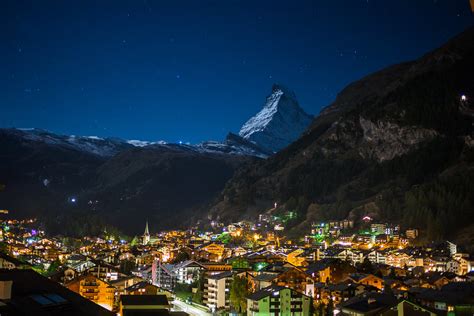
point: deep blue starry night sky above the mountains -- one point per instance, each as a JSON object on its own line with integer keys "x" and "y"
{"x": 194, "y": 70}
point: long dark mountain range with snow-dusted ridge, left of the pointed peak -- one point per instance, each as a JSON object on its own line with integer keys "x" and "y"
{"x": 76, "y": 190}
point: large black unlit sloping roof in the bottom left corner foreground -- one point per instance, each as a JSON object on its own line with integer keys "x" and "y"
{"x": 33, "y": 294}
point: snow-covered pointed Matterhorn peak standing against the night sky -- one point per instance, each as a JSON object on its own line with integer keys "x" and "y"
{"x": 280, "y": 122}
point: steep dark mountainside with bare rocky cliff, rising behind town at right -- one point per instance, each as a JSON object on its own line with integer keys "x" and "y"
{"x": 387, "y": 135}
